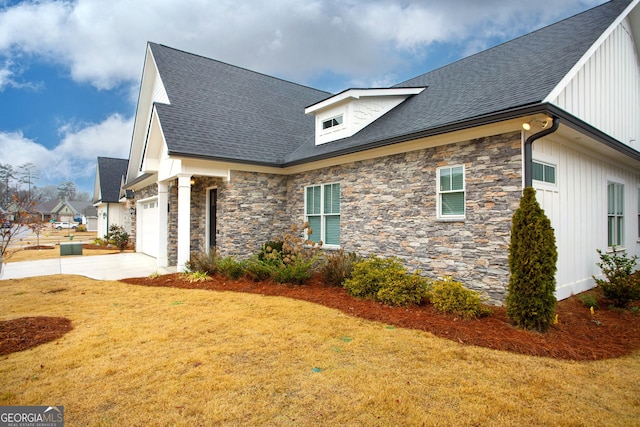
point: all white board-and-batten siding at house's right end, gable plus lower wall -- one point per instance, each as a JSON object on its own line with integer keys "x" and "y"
{"x": 603, "y": 90}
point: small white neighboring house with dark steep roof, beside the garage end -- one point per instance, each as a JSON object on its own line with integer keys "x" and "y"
{"x": 106, "y": 193}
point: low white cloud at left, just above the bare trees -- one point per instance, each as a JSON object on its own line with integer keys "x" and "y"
{"x": 74, "y": 159}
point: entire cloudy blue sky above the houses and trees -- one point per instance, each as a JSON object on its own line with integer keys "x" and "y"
{"x": 70, "y": 70}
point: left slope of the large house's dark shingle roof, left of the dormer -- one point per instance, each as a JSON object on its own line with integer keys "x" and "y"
{"x": 221, "y": 111}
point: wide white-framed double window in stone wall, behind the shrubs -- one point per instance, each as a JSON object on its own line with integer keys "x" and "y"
{"x": 322, "y": 209}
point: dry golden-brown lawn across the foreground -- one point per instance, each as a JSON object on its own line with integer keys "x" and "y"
{"x": 142, "y": 355}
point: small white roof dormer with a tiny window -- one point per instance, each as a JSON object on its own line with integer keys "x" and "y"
{"x": 348, "y": 112}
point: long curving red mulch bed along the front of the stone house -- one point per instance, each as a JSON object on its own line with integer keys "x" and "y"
{"x": 577, "y": 336}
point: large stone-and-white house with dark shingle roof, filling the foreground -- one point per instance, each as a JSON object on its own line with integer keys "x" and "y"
{"x": 430, "y": 170}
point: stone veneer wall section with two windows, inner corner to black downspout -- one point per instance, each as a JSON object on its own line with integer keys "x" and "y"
{"x": 388, "y": 208}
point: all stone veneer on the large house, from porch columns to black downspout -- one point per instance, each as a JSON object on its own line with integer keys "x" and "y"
{"x": 388, "y": 208}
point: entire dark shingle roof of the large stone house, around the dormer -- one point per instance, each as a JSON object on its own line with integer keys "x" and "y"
{"x": 224, "y": 112}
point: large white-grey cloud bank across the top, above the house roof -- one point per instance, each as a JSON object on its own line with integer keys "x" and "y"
{"x": 102, "y": 42}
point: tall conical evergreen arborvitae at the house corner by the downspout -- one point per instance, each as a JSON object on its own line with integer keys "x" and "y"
{"x": 531, "y": 302}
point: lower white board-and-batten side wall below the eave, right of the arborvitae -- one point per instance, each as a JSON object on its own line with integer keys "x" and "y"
{"x": 577, "y": 208}
